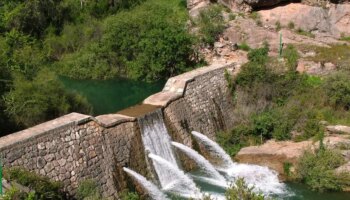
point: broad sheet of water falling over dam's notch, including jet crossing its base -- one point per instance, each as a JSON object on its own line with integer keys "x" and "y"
{"x": 156, "y": 141}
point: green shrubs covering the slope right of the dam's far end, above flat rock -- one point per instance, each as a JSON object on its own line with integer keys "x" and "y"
{"x": 273, "y": 100}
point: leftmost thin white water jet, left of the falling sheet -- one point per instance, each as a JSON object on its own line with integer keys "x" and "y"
{"x": 149, "y": 187}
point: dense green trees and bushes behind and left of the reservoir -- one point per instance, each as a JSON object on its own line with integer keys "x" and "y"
{"x": 97, "y": 39}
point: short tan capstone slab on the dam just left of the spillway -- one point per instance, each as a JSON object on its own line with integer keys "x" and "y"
{"x": 110, "y": 120}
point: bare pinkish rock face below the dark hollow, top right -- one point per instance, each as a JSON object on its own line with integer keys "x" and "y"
{"x": 334, "y": 20}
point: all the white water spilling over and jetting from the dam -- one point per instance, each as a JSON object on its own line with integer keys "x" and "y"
{"x": 173, "y": 180}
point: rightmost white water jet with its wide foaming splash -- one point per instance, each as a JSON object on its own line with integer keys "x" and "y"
{"x": 262, "y": 178}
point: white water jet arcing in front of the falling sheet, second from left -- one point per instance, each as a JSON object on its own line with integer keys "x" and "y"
{"x": 180, "y": 183}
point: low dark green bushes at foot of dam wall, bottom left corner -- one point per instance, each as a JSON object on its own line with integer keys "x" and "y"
{"x": 43, "y": 187}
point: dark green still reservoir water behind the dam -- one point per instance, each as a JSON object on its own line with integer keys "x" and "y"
{"x": 109, "y": 96}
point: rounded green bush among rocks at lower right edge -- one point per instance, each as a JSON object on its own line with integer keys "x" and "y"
{"x": 316, "y": 169}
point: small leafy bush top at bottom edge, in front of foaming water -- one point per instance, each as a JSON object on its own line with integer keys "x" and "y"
{"x": 240, "y": 190}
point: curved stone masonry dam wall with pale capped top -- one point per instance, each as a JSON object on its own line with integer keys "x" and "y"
{"x": 76, "y": 147}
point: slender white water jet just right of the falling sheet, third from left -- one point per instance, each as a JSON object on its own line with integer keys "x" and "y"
{"x": 202, "y": 163}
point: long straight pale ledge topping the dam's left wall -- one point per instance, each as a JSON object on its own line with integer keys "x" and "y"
{"x": 38, "y": 130}
